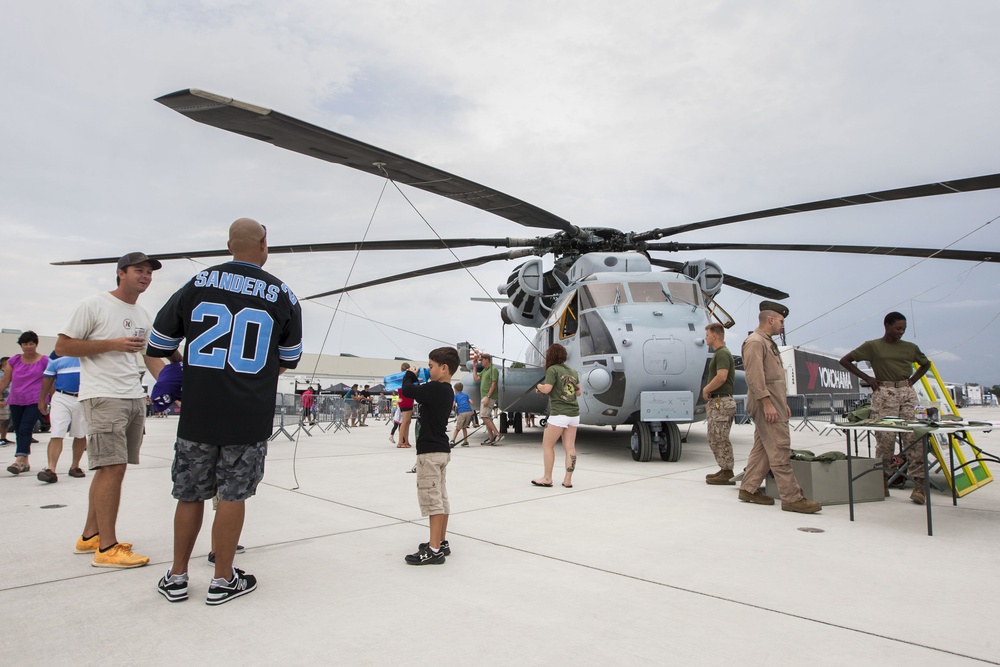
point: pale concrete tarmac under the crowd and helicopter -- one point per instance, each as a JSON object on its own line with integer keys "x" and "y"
{"x": 639, "y": 563}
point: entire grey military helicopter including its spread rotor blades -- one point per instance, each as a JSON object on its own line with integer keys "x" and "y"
{"x": 634, "y": 333}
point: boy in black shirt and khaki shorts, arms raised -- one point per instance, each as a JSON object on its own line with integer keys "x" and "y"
{"x": 433, "y": 451}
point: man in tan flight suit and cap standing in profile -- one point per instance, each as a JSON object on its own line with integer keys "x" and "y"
{"x": 767, "y": 405}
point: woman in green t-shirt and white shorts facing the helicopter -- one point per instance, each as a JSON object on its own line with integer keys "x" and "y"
{"x": 562, "y": 384}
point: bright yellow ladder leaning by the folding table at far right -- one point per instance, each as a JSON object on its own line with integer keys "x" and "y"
{"x": 969, "y": 477}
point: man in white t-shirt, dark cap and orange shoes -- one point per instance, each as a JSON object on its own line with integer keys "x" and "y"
{"x": 106, "y": 332}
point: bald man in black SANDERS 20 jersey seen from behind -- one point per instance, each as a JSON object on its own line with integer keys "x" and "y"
{"x": 243, "y": 328}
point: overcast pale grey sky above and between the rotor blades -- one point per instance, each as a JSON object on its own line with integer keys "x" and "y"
{"x": 631, "y": 115}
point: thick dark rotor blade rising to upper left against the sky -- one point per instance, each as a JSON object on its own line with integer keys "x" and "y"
{"x": 295, "y": 135}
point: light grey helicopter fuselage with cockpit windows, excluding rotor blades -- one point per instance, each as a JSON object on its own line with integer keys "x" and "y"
{"x": 636, "y": 337}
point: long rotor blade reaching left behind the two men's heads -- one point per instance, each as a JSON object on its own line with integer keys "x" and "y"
{"x": 345, "y": 246}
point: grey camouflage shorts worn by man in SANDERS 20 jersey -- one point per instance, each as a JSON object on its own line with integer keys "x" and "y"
{"x": 200, "y": 470}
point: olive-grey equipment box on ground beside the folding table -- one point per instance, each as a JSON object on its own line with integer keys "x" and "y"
{"x": 826, "y": 483}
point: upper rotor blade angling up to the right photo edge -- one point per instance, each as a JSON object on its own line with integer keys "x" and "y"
{"x": 973, "y": 184}
